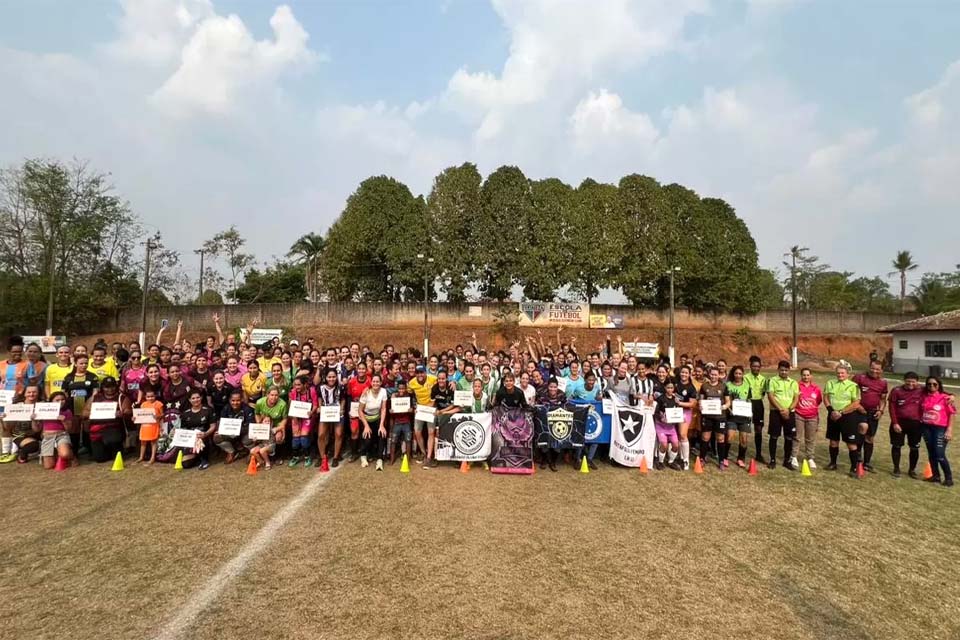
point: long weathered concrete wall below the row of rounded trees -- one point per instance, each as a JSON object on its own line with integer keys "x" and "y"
{"x": 394, "y": 315}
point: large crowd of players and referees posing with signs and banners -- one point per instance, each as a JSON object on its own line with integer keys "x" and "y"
{"x": 304, "y": 404}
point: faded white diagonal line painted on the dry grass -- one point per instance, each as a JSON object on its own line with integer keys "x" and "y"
{"x": 199, "y": 600}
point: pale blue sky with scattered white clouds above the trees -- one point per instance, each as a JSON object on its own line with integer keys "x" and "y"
{"x": 832, "y": 125}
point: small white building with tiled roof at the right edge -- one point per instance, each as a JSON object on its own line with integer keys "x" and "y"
{"x": 926, "y": 344}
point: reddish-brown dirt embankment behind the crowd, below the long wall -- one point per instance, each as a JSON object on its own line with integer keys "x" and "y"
{"x": 735, "y": 347}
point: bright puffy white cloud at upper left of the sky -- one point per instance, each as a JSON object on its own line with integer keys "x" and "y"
{"x": 223, "y": 61}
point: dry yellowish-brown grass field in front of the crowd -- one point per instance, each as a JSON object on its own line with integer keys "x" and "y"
{"x": 151, "y": 552}
